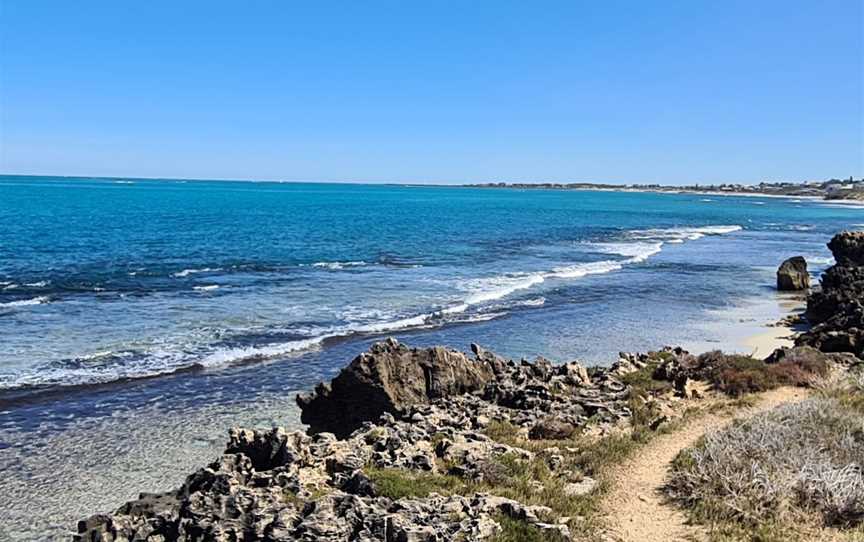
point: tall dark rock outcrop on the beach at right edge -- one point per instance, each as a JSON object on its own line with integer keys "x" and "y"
{"x": 837, "y": 311}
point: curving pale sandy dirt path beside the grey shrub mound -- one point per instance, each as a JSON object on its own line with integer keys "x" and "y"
{"x": 635, "y": 508}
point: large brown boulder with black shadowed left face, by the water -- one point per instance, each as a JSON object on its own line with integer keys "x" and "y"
{"x": 388, "y": 379}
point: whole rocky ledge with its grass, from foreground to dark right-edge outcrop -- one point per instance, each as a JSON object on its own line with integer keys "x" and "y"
{"x": 420, "y": 444}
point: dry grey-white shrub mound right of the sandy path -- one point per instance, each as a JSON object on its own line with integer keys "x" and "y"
{"x": 797, "y": 460}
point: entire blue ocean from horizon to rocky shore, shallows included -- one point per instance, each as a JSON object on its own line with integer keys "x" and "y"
{"x": 140, "y": 319}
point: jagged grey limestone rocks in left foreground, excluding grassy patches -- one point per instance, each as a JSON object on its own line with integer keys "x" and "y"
{"x": 278, "y": 485}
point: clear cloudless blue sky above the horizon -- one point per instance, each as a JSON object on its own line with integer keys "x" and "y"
{"x": 434, "y": 91}
